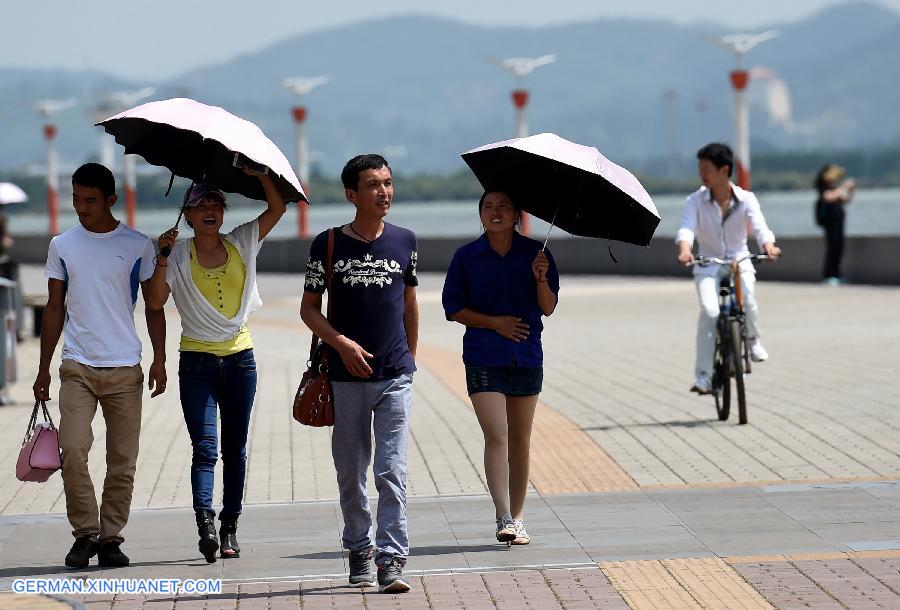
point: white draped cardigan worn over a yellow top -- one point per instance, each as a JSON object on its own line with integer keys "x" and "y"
{"x": 199, "y": 319}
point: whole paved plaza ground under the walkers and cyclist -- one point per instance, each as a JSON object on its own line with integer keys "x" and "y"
{"x": 640, "y": 497}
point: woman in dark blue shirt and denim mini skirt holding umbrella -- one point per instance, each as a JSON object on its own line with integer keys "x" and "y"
{"x": 498, "y": 287}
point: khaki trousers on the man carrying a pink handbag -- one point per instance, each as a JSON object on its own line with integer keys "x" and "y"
{"x": 119, "y": 391}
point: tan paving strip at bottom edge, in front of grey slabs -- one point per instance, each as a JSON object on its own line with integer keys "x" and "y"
{"x": 682, "y": 583}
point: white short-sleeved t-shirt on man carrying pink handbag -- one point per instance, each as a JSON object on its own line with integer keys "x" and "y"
{"x": 102, "y": 273}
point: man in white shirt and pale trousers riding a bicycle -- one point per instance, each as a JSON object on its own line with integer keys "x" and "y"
{"x": 719, "y": 215}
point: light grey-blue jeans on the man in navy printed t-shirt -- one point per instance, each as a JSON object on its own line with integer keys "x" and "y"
{"x": 359, "y": 408}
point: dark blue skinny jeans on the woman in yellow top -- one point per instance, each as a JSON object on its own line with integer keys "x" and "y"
{"x": 211, "y": 384}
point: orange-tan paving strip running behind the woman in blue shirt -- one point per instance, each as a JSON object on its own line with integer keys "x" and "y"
{"x": 563, "y": 458}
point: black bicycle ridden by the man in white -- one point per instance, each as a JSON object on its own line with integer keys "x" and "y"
{"x": 732, "y": 353}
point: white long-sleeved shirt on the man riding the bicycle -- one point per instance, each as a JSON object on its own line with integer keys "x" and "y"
{"x": 723, "y": 235}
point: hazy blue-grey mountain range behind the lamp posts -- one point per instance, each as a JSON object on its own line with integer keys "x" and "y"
{"x": 421, "y": 89}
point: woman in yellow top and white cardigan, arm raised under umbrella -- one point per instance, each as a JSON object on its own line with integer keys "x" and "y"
{"x": 212, "y": 280}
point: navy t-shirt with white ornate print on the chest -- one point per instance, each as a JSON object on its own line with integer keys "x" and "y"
{"x": 368, "y": 284}
